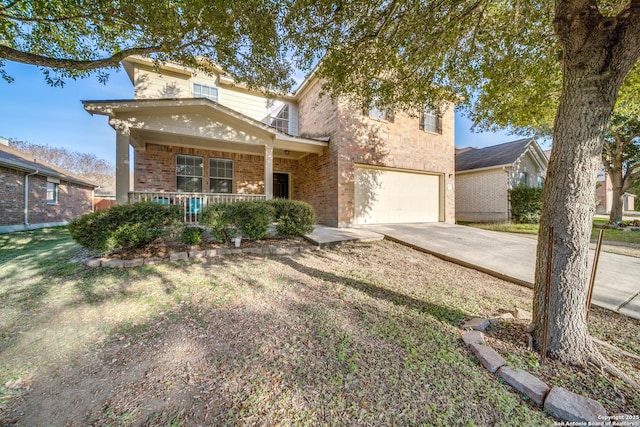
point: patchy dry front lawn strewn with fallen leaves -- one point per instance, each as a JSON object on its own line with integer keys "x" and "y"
{"x": 361, "y": 334}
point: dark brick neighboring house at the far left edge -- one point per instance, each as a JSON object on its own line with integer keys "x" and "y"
{"x": 35, "y": 194}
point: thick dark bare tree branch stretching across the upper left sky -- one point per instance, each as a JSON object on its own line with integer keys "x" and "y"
{"x": 72, "y": 64}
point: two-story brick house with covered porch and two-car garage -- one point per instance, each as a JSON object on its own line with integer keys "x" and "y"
{"x": 199, "y": 138}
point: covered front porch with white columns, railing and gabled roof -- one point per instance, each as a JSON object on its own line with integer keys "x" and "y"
{"x": 194, "y": 152}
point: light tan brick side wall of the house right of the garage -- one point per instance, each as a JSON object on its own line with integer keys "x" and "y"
{"x": 482, "y": 196}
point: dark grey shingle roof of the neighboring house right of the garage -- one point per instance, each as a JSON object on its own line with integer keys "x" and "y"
{"x": 496, "y": 155}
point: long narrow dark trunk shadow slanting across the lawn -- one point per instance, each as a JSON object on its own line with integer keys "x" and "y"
{"x": 444, "y": 314}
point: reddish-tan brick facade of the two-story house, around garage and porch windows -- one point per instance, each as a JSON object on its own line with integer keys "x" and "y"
{"x": 326, "y": 180}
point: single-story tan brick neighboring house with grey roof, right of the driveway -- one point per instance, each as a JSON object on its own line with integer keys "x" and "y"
{"x": 485, "y": 176}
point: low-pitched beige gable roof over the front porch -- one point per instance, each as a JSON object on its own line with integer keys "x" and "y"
{"x": 199, "y": 123}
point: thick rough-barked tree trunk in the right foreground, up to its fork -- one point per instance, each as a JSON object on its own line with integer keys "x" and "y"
{"x": 594, "y": 64}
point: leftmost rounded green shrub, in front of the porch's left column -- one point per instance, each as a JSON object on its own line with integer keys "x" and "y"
{"x": 124, "y": 226}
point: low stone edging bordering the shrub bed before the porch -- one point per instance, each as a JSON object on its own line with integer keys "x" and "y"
{"x": 207, "y": 253}
